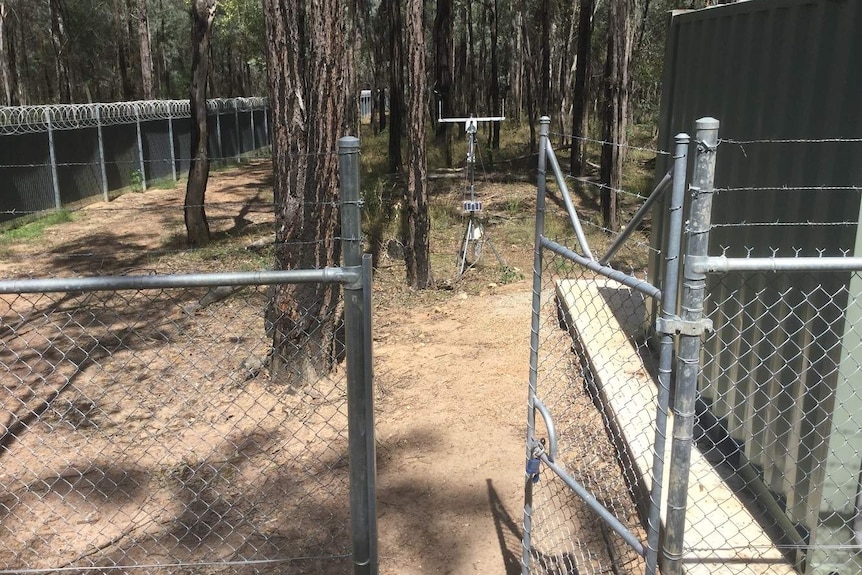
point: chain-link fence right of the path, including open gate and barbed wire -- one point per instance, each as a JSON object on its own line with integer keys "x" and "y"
{"x": 718, "y": 415}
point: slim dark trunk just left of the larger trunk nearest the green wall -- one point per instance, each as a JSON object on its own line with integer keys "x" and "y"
{"x": 580, "y": 110}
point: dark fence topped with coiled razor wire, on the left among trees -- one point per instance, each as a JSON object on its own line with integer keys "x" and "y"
{"x": 55, "y": 156}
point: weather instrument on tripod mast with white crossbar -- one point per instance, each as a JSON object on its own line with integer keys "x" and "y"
{"x": 474, "y": 236}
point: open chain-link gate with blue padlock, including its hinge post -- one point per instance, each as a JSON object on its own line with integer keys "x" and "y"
{"x": 595, "y": 474}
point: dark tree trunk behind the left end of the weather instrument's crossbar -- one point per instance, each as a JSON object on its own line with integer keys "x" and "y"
{"x": 443, "y": 63}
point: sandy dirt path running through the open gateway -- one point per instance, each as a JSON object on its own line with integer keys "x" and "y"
{"x": 450, "y": 432}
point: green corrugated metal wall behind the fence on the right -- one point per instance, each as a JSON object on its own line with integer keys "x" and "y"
{"x": 779, "y": 70}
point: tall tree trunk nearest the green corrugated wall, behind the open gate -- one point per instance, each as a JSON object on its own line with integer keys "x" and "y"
{"x": 616, "y": 109}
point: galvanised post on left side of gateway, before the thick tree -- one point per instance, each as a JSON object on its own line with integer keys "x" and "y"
{"x": 360, "y": 393}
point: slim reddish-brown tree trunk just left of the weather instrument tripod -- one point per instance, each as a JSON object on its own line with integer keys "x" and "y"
{"x": 417, "y": 249}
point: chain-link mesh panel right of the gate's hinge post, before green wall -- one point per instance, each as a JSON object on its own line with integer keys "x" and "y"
{"x": 781, "y": 409}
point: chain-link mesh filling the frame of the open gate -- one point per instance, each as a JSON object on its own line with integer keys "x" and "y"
{"x": 593, "y": 376}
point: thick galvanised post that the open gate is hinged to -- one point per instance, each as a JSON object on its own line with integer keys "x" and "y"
{"x": 691, "y": 327}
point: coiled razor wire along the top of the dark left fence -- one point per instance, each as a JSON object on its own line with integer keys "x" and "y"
{"x": 33, "y": 119}
